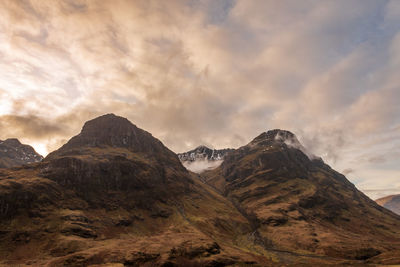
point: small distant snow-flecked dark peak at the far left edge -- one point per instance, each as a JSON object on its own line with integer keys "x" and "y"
{"x": 13, "y": 153}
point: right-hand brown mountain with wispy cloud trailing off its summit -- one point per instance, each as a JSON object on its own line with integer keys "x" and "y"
{"x": 300, "y": 204}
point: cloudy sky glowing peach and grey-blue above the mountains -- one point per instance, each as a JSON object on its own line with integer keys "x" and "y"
{"x": 211, "y": 72}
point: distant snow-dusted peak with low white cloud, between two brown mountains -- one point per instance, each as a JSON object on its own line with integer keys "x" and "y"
{"x": 203, "y": 158}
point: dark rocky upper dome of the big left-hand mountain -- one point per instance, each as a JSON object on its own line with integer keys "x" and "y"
{"x": 112, "y": 154}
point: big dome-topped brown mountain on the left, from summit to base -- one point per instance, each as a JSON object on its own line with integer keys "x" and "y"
{"x": 115, "y": 194}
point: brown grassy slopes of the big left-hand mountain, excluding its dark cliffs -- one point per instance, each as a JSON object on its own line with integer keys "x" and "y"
{"x": 56, "y": 225}
